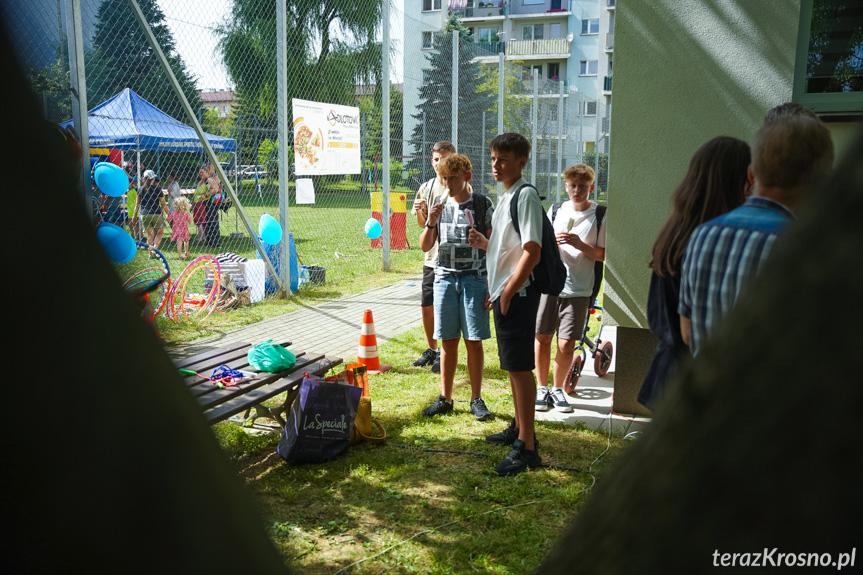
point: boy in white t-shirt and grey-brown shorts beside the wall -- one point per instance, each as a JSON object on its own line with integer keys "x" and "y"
{"x": 581, "y": 235}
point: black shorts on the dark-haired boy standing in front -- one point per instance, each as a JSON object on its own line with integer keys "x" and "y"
{"x": 515, "y": 333}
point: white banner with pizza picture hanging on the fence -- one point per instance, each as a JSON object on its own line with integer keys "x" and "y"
{"x": 326, "y": 139}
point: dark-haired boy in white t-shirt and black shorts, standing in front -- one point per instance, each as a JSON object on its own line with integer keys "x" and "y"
{"x": 511, "y": 256}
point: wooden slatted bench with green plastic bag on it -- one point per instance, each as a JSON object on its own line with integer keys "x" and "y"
{"x": 218, "y": 404}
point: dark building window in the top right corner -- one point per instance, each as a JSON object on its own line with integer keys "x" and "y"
{"x": 828, "y": 75}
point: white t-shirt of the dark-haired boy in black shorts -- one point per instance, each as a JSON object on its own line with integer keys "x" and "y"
{"x": 505, "y": 247}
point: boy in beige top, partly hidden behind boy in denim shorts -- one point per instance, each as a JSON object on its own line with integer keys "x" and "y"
{"x": 428, "y": 193}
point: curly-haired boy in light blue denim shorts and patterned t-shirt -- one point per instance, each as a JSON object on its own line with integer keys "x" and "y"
{"x": 460, "y": 284}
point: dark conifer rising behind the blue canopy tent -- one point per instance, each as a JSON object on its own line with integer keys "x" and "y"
{"x": 123, "y": 59}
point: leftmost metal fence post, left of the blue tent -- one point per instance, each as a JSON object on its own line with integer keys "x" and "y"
{"x": 75, "y": 43}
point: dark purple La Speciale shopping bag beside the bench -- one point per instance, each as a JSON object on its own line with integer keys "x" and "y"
{"x": 319, "y": 426}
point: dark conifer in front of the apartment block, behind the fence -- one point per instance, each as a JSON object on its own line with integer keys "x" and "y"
{"x": 436, "y": 94}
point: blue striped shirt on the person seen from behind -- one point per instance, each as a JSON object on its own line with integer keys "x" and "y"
{"x": 722, "y": 258}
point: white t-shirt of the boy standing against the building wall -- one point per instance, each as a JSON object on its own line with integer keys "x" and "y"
{"x": 579, "y": 267}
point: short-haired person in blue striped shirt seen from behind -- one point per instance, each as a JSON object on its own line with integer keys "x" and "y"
{"x": 723, "y": 256}
